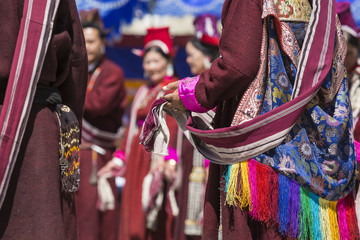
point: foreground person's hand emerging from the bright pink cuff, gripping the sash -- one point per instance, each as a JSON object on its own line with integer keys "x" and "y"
{"x": 173, "y": 99}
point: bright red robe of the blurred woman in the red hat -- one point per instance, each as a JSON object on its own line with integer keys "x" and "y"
{"x": 132, "y": 216}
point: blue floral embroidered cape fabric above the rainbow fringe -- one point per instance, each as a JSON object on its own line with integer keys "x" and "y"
{"x": 319, "y": 152}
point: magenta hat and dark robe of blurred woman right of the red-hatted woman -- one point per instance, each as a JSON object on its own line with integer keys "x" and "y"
{"x": 193, "y": 165}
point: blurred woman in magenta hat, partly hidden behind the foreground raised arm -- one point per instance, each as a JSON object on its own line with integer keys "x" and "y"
{"x": 201, "y": 51}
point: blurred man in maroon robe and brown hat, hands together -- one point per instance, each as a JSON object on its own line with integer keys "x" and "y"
{"x": 105, "y": 103}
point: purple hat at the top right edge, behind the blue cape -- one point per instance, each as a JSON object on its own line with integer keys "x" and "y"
{"x": 346, "y": 18}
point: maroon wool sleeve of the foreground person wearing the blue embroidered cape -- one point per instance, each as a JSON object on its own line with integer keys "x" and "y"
{"x": 240, "y": 45}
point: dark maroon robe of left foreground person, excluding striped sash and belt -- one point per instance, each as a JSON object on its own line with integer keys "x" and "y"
{"x": 35, "y": 207}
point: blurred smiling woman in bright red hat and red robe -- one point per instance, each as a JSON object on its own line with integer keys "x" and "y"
{"x": 148, "y": 204}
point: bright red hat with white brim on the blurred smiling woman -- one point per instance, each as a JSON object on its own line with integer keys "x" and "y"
{"x": 158, "y": 37}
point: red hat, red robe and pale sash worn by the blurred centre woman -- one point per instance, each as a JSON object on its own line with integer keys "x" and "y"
{"x": 157, "y": 221}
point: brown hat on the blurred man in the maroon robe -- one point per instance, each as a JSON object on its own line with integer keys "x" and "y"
{"x": 92, "y": 18}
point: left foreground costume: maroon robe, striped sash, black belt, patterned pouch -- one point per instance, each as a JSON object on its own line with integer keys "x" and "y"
{"x": 43, "y": 66}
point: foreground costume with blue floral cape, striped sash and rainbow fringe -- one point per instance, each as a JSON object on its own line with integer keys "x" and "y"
{"x": 284, "y": 127}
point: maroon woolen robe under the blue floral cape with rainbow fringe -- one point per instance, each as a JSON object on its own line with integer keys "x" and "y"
{"x": 222, "y": 86}
